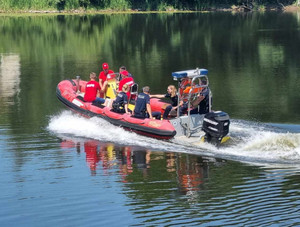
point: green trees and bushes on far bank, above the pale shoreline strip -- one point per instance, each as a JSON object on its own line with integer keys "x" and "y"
{"x": 142, "y": 5}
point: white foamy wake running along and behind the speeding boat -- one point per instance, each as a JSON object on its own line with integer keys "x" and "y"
{"x": 250, "y": 142}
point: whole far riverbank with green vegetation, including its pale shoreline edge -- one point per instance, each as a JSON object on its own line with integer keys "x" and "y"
{"x": 143, "y": 6}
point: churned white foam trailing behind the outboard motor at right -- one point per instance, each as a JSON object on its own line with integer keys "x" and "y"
{"x": 260, "y": 142}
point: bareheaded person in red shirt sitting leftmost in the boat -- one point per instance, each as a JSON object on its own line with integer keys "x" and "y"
{"x": 92, "y": 90}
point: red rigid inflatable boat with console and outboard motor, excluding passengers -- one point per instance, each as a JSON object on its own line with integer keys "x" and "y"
{"x": 212, "y": 126}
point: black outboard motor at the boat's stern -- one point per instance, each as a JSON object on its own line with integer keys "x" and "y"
{"x": 216, "y": 126}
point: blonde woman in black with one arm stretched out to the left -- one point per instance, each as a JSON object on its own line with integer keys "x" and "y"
{"x": 171, "y": 94}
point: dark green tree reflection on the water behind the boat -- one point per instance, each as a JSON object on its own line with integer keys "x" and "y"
{"x": 253, "y": 67}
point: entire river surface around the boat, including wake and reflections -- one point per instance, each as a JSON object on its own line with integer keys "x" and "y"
{"x": 58, "y": 168}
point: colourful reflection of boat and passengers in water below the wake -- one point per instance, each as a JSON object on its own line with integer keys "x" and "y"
{"x": 188, "y": 171}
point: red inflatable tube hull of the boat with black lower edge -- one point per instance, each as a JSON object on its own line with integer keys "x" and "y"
{"x": 68, "y": 92}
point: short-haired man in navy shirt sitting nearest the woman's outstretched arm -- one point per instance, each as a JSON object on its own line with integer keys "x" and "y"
{"x": 142, "y": 107}
